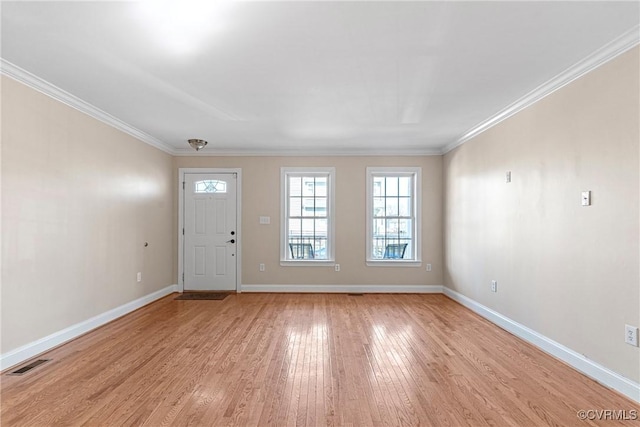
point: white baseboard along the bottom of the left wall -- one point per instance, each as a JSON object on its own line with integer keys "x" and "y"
{"x": 28, "y": 351}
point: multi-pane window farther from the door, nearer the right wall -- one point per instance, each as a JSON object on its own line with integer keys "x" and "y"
{"x": 393, "y": 216}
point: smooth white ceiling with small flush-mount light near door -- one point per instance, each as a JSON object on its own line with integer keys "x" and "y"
{"x": 311, "y": 77}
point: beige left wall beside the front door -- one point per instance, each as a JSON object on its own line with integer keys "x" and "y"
{"x": 79, "y": 199}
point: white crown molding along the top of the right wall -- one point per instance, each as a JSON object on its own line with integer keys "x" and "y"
{"x": 606, "y": 53}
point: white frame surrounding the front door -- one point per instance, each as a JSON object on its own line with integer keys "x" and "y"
{"x": 181, "y": 177}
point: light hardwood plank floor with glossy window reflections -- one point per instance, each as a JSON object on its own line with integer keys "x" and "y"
{"x": 303, "y": 359}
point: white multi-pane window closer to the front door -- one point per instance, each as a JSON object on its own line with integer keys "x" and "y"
{"x": 307, "y": 220}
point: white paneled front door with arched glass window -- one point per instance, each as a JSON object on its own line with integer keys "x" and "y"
{"x": 210, "y": 237}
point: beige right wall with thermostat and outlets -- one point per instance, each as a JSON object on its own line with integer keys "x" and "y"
{"x": 566, "y": 271}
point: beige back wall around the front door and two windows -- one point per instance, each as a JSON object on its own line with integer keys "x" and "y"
{"x": 261, "y": 197}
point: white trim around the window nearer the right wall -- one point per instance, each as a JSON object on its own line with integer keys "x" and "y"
{"x": 417, "y": 206}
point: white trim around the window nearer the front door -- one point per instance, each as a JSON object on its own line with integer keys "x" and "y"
{"x": 311, "y": 171}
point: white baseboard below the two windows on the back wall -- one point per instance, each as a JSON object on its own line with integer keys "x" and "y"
{"x": 361, "y": 289}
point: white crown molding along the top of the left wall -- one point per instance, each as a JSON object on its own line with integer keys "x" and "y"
{"x": 10, "y": 70}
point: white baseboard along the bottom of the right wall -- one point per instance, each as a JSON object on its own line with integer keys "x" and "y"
{"x": 588, "y": 367}
